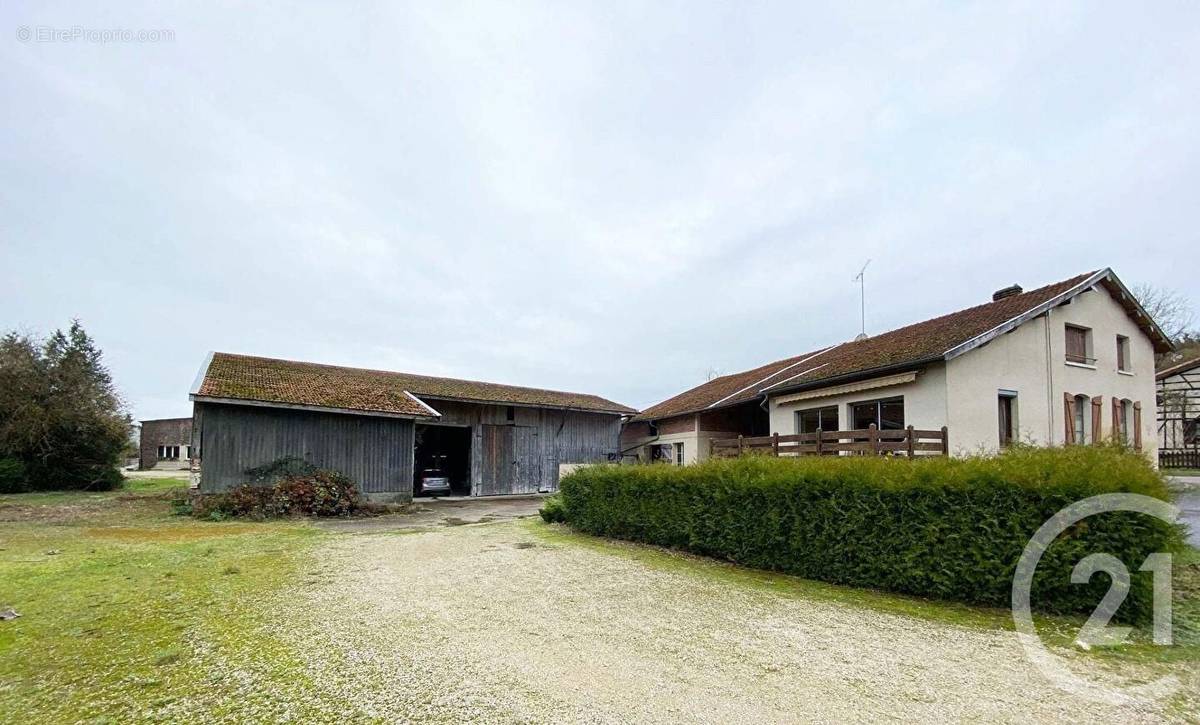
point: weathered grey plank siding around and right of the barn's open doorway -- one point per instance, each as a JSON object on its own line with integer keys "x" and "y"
{"x": 562, "y": 438}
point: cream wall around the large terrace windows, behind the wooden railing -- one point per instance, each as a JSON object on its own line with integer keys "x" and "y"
{"x": 925, "y": 404}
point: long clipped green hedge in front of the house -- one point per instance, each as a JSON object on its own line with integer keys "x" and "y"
{"x": 951, "y": 529}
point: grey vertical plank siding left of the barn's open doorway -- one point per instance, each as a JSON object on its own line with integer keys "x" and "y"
{"x": 376, "y": 453}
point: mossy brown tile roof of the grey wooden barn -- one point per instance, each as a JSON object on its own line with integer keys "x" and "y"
{"x": 291, "y": 384}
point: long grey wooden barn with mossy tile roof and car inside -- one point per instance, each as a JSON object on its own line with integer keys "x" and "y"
{"x": 386, "y": 430}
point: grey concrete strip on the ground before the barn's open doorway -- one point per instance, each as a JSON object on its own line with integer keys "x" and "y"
{"x": 437, "y": 513}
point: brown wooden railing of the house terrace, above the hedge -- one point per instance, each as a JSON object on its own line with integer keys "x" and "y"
{"x": 907, "y": 442}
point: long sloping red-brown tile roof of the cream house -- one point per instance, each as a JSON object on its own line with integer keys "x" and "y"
{"x": 909, "y": 346}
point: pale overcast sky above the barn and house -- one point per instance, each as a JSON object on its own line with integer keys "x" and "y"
{"x": 613, "y": 199}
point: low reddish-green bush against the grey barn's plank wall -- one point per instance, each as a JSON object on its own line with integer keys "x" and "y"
{"x": 320, "y": 494}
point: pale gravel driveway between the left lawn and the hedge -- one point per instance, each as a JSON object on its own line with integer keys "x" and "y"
{"x": 502, "y": 624}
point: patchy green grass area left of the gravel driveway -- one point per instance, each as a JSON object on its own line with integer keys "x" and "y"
{"x": 131, "y": 614}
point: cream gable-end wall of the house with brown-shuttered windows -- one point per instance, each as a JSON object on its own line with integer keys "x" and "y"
{"x": 1033, "y": 361}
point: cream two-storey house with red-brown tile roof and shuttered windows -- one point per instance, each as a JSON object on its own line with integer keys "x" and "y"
{"x": 1067, "y": 363}
